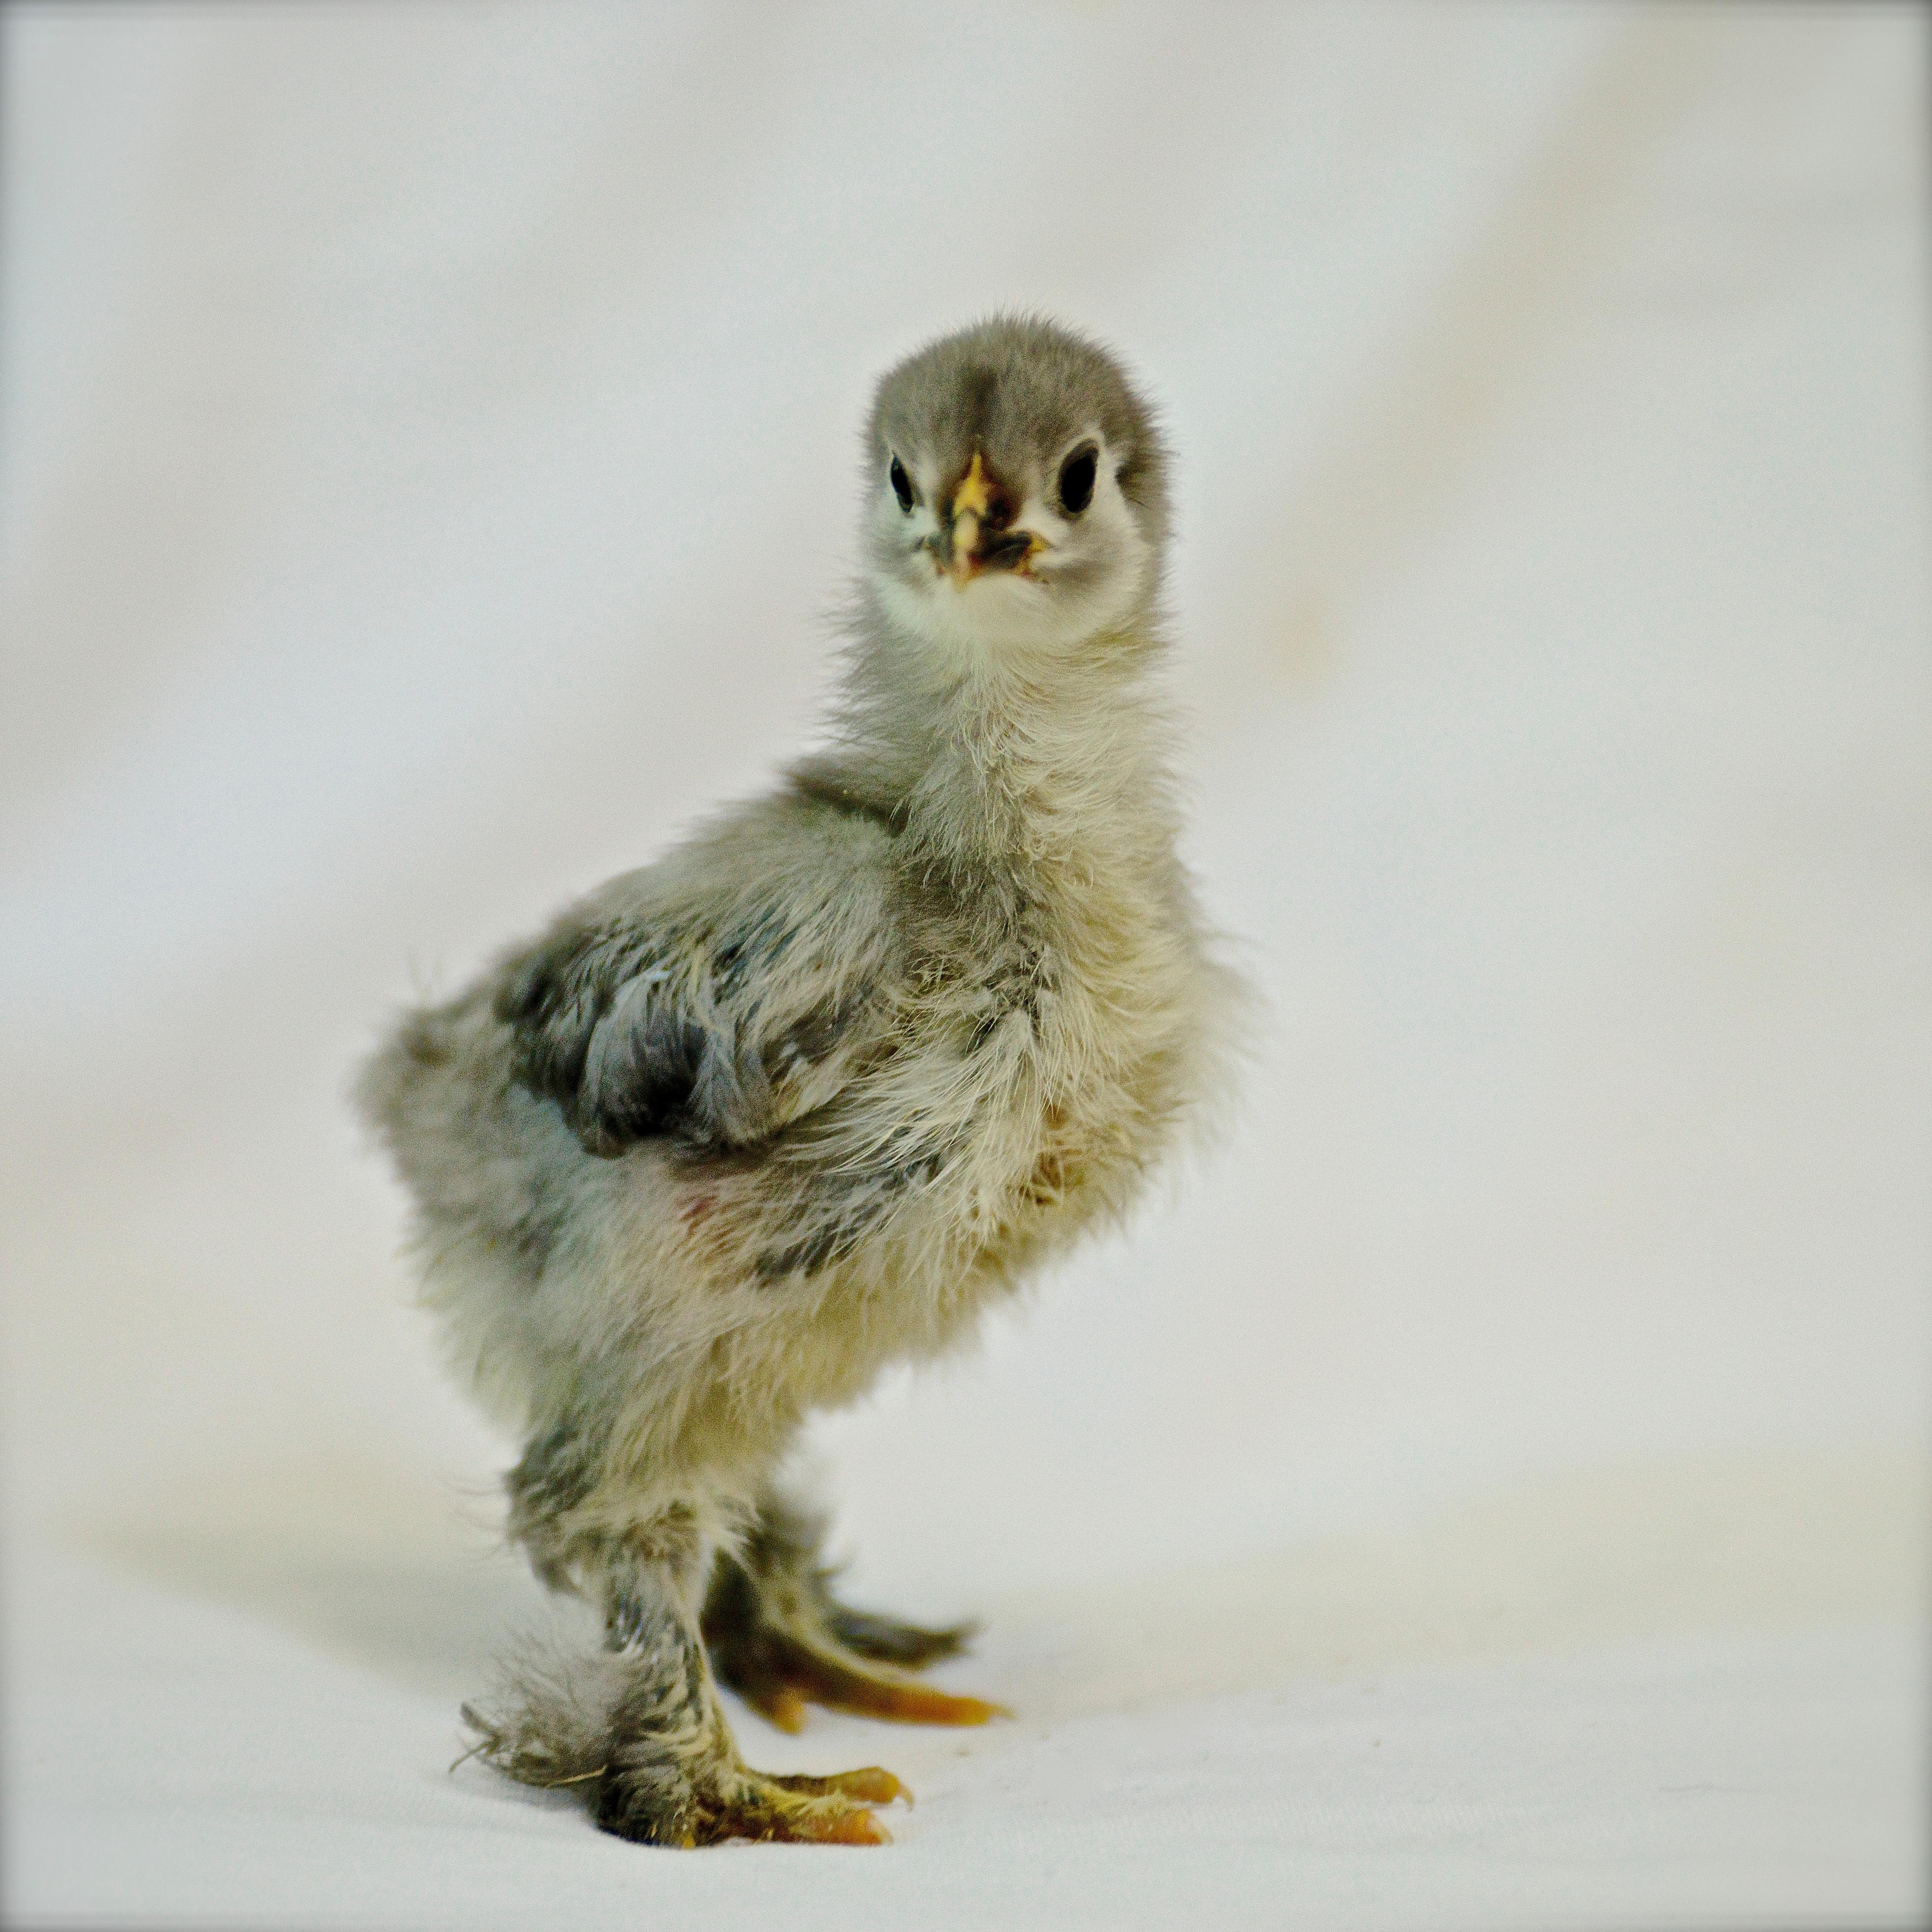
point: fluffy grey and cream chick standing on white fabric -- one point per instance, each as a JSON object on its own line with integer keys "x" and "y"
{"x": 814, "y": 1091}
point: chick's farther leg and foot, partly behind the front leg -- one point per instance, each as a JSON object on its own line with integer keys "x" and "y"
{"x": 781, "y": 1639}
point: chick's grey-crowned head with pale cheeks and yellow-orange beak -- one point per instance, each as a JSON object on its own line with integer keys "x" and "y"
{"x": 1015, "y": 494}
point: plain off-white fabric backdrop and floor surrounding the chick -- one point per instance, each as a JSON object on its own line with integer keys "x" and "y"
{"x": 1492, "y": 1492}
